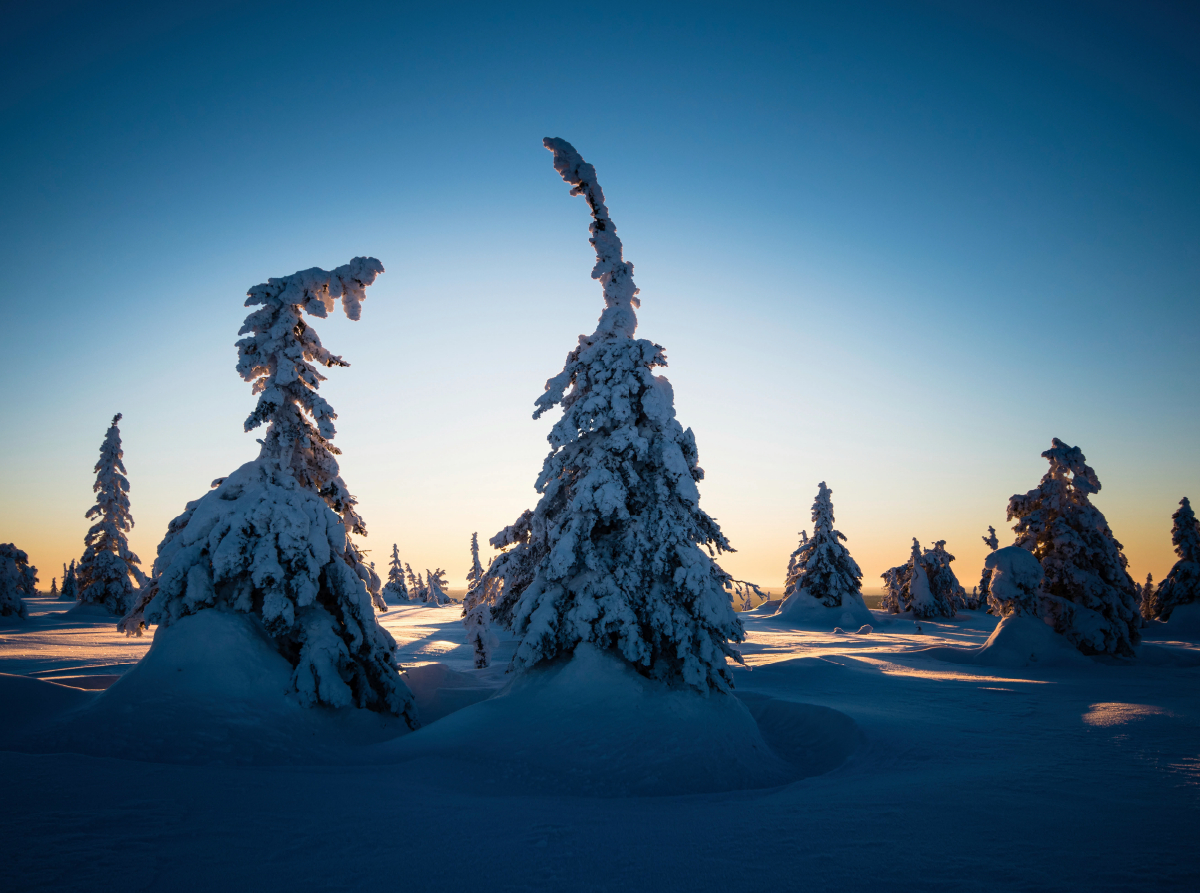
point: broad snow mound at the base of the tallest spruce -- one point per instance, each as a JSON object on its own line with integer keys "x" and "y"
{"x": 595, "y": 727}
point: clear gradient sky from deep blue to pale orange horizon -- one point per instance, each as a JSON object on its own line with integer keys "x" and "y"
{"x": 891, "y": 247}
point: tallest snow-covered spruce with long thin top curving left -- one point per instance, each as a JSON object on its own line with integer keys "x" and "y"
{"x": 617, "y": 552}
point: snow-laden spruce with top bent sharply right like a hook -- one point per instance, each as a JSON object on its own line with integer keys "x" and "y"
{"x": 272, "y": 540}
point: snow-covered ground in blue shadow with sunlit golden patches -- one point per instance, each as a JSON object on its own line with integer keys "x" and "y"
{"x": 922, "y": 772}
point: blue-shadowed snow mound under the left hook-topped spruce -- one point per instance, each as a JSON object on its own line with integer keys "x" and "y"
{"x": 212, "y": 690}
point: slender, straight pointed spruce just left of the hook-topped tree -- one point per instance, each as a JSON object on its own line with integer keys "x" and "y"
{"x": 109, "y": 572}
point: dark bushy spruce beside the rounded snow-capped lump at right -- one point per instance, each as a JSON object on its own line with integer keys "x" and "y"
{"x": 1093, "y": 600}
